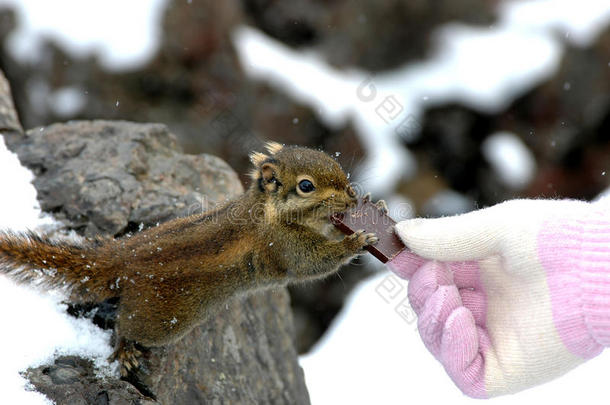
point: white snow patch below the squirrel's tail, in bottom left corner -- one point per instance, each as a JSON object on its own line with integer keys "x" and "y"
{"x": 36, "y": 330}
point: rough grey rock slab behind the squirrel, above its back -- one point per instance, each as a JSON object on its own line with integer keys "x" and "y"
{"x": 112, "y": 176}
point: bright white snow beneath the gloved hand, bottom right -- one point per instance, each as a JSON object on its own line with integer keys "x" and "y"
{"x": 372, "y": 354}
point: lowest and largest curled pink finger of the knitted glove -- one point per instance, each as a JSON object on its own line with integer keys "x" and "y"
{"x": 464, "y": 346}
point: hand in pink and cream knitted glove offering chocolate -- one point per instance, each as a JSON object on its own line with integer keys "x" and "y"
{"x": 510, "y": 296}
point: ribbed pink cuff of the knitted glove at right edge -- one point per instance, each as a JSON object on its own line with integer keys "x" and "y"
{"x": 576, "y": 256}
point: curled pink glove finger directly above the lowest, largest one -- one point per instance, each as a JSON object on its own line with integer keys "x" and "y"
{"x": 435, "y": 312}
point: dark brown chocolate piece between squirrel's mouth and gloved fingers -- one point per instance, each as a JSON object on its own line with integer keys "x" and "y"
{"x": 371, "y": 218}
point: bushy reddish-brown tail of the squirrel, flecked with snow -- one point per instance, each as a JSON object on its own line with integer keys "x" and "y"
{"x": 34, "y": 259}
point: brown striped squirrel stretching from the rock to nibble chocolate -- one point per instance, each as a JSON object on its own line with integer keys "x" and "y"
{"x": 171, "y": 277}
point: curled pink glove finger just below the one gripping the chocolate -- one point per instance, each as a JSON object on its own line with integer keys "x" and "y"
{"x": 426, "y": 281}
